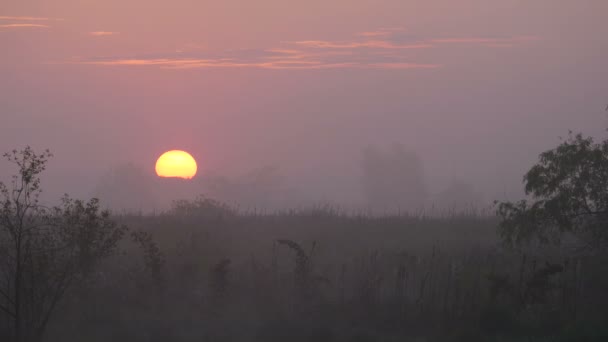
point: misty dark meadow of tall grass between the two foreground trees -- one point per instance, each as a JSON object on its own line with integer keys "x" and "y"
{"x": 205, "y": 272}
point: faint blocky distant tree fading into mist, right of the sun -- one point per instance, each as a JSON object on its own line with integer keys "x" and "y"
{"x": 393, "y": 179}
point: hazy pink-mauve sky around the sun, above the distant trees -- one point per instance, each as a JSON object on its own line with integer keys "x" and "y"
{"x": 478, "y": 88}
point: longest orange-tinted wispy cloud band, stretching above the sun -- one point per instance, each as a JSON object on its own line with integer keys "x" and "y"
{"x": 386, "y": 49}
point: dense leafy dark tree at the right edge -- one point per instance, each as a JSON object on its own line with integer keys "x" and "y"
{"x": 569, "y": 195}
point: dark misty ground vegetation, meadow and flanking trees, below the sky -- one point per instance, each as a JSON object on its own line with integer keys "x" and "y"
{"x": 206, "y": 271}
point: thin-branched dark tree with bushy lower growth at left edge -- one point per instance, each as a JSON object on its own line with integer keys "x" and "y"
{"x": 45, "y": 251}
